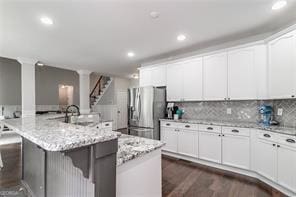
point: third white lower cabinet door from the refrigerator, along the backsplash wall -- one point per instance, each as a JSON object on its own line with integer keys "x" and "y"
{"x": 209, "y": 146}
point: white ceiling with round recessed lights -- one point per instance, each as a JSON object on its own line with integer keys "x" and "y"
{"x": 96, "y": 35}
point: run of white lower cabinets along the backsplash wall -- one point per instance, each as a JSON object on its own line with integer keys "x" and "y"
{"x": 273, "y": 157}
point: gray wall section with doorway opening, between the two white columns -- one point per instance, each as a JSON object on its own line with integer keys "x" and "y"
{"x": 48, "y": 80}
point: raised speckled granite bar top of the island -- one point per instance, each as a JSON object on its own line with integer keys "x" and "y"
{"x": 51, "y": 134}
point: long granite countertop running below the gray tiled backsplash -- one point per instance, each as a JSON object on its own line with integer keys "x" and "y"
{"x": 276, "y": 129}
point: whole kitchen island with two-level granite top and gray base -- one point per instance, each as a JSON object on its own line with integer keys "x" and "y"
{"x": 61, "y": 159}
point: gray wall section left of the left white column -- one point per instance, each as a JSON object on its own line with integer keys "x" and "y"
{"x": 10, "y": 82}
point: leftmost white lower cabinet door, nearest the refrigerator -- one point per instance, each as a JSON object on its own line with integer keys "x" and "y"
{"x": 170, "y": 137}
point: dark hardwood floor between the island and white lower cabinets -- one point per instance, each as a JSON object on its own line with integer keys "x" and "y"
{"x": 186, "y": 179}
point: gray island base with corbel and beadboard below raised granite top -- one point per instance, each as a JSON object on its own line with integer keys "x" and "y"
{"x": 96, "y": 164}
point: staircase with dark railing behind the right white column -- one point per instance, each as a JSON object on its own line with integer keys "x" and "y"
{"x": 99, "y": 90}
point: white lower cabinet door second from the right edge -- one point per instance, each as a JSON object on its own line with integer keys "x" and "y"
{"x": 266, "y": 156}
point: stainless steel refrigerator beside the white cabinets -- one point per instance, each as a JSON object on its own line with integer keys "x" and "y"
{"x": 146, "y": 105}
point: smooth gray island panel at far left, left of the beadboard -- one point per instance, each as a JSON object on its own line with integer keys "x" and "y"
{"x": 34, "y": 168}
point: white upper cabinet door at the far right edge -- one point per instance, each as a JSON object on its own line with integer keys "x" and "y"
{"x": 282, "y": 55}
